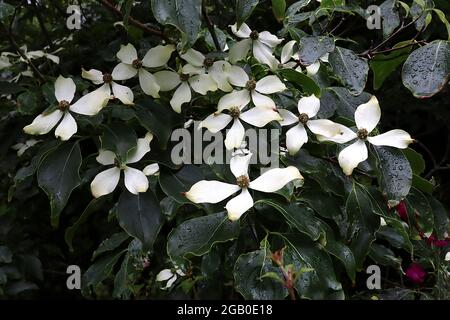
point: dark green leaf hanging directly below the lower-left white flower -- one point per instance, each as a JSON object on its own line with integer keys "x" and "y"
{"x": 140, "y": 216}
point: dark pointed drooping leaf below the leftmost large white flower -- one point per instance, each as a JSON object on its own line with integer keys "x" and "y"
{"x": 58, "y": 175}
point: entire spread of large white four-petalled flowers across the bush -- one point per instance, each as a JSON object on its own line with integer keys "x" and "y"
{"x": 246, "y": 99}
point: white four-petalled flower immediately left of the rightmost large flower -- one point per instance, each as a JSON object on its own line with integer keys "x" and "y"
{"x": 308, "y": 107}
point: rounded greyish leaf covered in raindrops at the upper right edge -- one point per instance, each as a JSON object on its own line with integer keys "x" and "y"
{"x": 427, "y": 69}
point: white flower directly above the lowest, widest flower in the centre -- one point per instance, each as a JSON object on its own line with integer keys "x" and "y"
{"x": 255, "y": 116}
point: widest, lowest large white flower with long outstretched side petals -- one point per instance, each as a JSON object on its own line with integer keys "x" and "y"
{"x": 215, "y": 191}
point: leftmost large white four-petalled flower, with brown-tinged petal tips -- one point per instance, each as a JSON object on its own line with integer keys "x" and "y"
{"x": 65, "y": 88}
